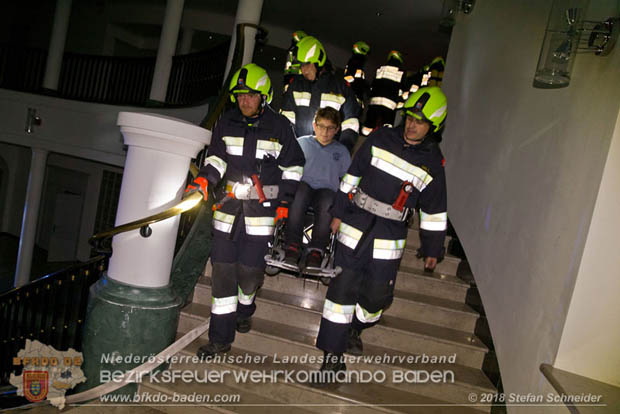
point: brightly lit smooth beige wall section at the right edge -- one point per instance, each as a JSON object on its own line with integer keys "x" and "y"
{"x": 591, "y": 337}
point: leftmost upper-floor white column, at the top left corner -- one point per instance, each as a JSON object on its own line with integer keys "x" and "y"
{"x": 57, "y": 44}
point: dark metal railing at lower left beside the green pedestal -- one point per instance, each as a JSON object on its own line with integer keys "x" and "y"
{"x": 50, "y": 309}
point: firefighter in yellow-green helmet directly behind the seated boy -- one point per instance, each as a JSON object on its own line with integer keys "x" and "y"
{"x": 318, "y": 88}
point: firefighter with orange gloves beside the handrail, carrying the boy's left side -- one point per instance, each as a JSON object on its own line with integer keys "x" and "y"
{"x": 255, "y": 151}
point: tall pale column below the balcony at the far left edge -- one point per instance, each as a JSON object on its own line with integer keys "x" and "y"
{"x": 30, "y": 217}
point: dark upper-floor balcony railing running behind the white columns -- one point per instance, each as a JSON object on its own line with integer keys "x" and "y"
{"x": 114, "y": 80}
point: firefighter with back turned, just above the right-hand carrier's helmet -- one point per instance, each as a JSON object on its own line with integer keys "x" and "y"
{"x": 384, "y": 94}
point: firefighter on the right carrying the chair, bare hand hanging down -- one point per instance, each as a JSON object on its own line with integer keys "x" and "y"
{"x": 394, "y": 170}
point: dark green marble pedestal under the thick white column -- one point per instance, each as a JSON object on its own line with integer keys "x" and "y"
{"x": 124, "y": 326}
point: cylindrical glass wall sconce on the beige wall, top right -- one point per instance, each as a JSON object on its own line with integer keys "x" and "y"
{"x": 566, "y": 35}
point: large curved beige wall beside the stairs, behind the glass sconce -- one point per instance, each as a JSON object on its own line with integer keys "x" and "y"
{"x": 523, "y": 169}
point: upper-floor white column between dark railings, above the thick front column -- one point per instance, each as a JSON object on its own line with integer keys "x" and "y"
{"x": 167, "y": 46}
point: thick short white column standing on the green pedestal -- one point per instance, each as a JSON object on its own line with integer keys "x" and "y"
{"x": 158, "y": 158}
